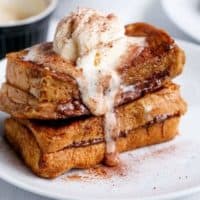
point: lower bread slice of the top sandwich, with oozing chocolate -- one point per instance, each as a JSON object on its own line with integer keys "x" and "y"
{"x": 23, "y": 105}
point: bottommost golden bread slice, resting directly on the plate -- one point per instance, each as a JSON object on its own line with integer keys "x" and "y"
{"x": 50, "y": 165}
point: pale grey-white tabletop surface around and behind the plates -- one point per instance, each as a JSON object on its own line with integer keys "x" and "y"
{"x": 150, "y": 11}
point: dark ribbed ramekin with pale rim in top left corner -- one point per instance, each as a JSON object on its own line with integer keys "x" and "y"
{"x": 25, "y": 33}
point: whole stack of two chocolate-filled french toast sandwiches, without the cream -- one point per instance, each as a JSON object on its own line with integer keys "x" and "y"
{"x": 54, "y": 131}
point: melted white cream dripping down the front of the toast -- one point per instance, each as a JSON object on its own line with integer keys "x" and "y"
{"x": 99, "y": 69}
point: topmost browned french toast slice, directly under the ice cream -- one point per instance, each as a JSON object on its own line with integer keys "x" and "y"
{"x": 52, "y": 79}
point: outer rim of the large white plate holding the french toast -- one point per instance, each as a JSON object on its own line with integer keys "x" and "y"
{"x": 38, "y": 191}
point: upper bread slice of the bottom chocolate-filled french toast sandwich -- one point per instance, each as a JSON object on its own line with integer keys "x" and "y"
{"x": 52, "y": 136}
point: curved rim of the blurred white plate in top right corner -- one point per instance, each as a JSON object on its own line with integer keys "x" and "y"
{"x": 166, "y": 7}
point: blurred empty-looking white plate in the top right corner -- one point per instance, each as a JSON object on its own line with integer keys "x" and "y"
{"x": 185, "y": 14}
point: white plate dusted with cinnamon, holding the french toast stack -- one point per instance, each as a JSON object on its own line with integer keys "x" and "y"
{"x": 164, "y": 171}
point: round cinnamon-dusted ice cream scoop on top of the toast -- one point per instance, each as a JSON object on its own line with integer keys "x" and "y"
{"x": 85, "y": 30}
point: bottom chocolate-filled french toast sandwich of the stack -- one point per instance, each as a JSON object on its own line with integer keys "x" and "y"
{"x": 51, "y": 148}
